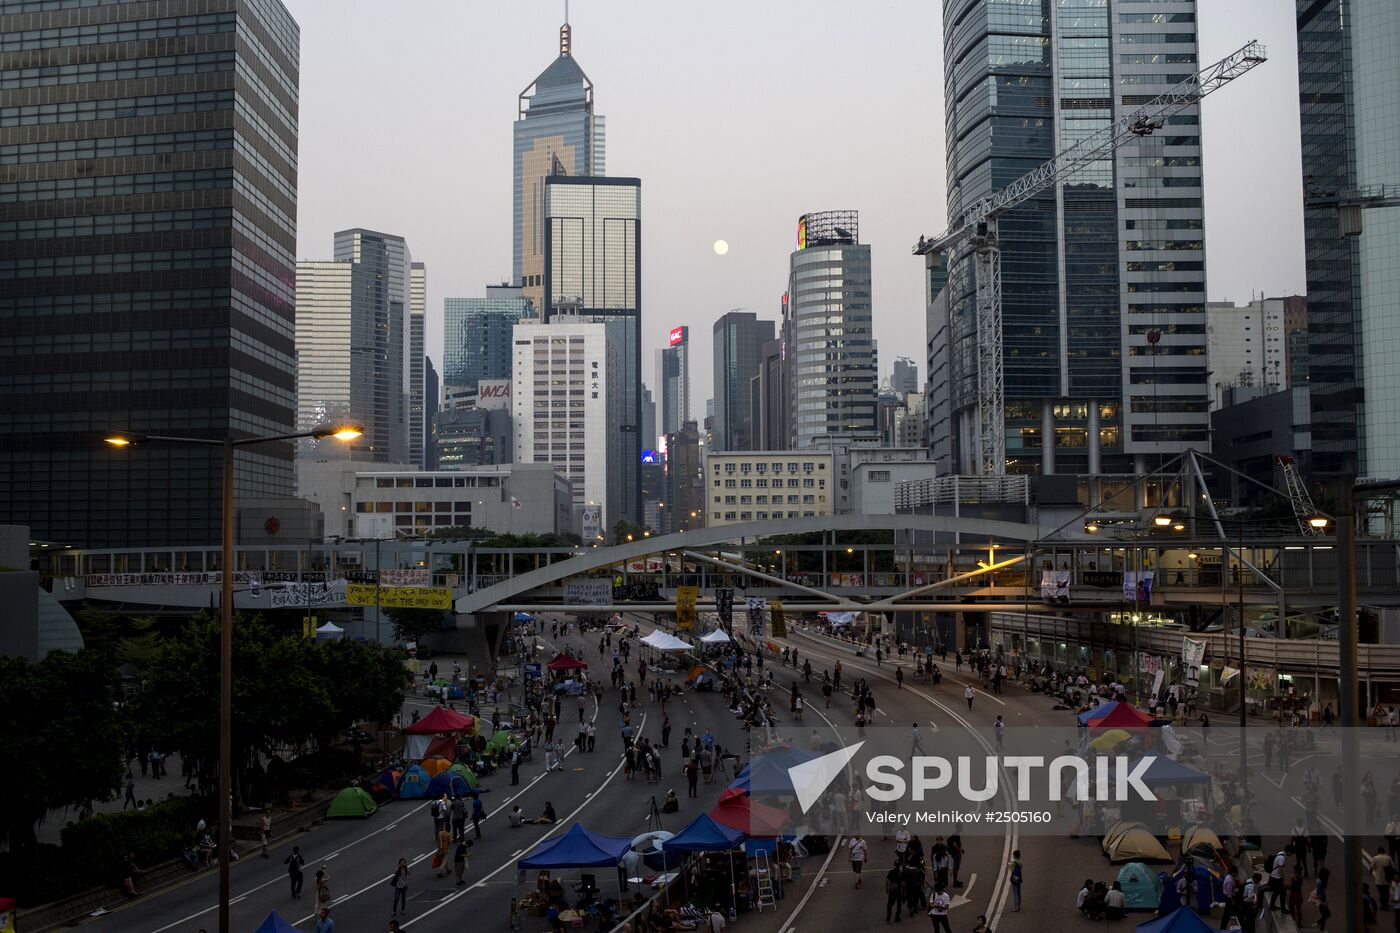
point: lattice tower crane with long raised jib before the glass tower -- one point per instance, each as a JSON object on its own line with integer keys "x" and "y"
{"x": 976, "y": 228}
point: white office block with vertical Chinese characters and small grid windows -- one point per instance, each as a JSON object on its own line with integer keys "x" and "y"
{"x": 559, "y": 404}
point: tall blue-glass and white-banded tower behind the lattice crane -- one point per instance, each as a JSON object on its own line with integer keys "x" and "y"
{"x": 1104, "y": 277}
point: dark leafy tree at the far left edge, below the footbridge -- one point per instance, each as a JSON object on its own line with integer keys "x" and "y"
{"x": 62, "y": 738}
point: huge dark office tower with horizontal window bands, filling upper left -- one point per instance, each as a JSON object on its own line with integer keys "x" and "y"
{"x": 148, "y": 244}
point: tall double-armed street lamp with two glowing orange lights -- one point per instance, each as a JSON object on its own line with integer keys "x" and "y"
{"x": 344, "y": 432}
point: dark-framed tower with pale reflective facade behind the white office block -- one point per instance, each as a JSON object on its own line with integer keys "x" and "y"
{"x": 593, "y": 271}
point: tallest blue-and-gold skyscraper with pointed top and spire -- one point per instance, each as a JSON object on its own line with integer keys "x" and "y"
{"x": 556, "y": 134}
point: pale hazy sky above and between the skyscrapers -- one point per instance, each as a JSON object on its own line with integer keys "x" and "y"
{"x": 738, "y": 117}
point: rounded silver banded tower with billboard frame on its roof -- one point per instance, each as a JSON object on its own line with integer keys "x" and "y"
{"x": 828, "y": 330}
